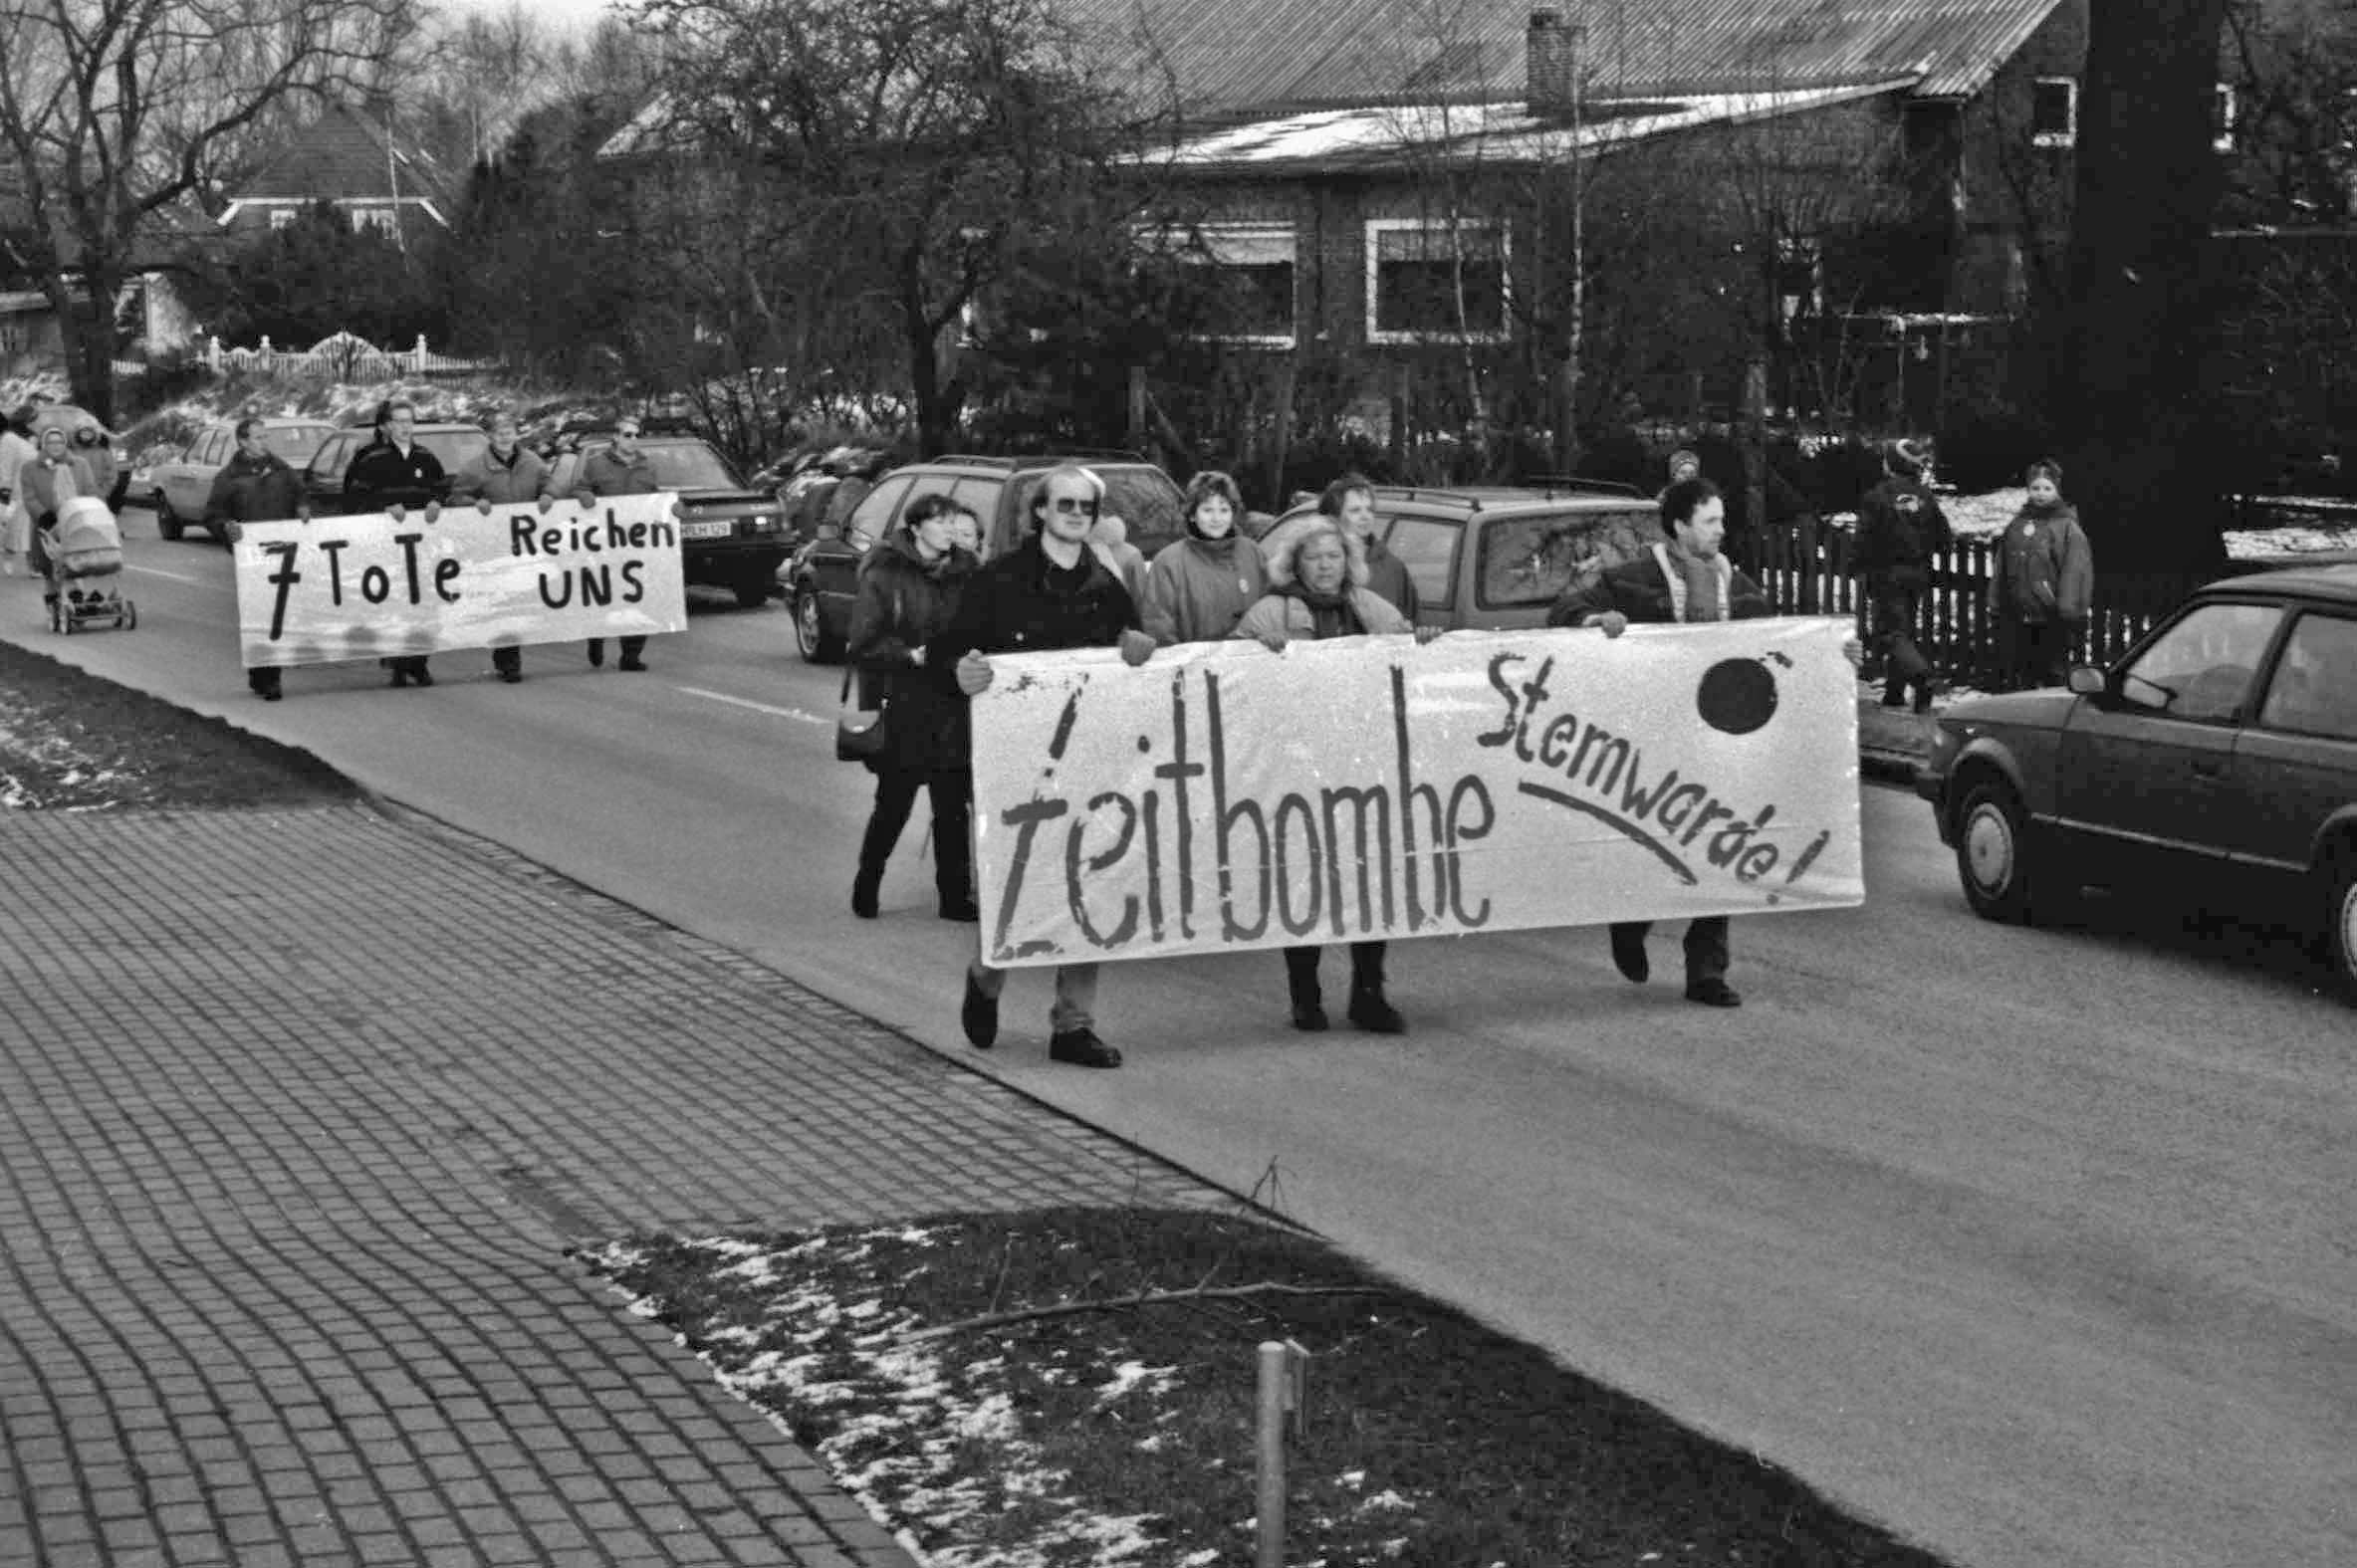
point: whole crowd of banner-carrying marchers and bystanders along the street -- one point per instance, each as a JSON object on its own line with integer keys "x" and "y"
{"x": 932, "y": 617}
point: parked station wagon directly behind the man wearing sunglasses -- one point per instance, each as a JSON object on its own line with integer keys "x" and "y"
{"x": 824, "y": 574}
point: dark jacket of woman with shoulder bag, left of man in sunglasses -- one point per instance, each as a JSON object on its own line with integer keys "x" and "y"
{"x": 902, "y": 607}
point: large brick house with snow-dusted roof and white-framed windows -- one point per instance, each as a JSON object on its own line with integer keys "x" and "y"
{"x": 1818, "y": 180}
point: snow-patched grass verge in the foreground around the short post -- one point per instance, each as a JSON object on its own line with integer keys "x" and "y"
{"x": 1125, "y": 1432}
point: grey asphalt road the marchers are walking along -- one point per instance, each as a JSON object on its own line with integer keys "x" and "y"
{"x": 2035, "y": 1246}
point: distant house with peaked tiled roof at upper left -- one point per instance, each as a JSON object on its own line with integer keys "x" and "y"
{"x": 355, "y": 162}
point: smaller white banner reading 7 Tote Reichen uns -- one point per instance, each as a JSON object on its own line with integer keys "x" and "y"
{"x": 367, "y": 586}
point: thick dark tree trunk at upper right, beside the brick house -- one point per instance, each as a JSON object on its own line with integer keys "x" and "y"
{"x": 2139, "y": 433}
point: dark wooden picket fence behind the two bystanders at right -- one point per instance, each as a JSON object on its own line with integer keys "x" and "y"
{"x": 1818, "y": 577}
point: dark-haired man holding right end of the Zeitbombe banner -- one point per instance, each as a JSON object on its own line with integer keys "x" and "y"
{"x": 1679, "y": 581}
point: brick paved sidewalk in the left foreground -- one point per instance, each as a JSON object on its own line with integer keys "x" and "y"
{"x": 298, "y": 1114}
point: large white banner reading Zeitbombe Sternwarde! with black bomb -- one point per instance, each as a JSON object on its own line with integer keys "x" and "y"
{"x": 1234, "y": 798}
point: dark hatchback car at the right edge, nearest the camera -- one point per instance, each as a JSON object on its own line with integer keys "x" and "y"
{"x": 2214, "y": 765}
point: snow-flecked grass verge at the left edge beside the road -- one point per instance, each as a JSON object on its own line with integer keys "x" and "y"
{"x": 74, "y": 742}
